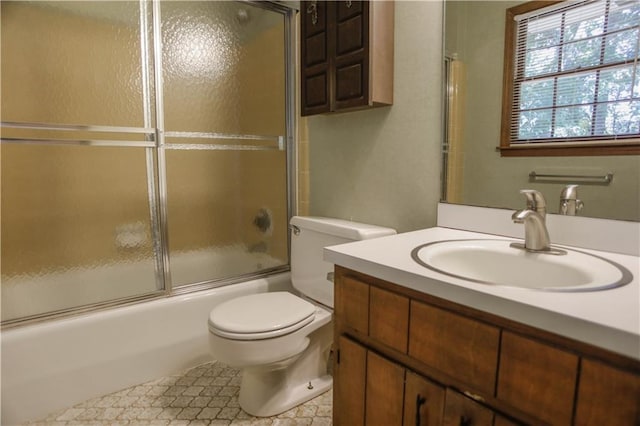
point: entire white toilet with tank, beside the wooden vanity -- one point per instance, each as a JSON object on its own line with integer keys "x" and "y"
{"x": 279, "y": 340}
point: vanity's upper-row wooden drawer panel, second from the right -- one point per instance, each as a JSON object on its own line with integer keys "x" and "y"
{"x": 537, "y": 379}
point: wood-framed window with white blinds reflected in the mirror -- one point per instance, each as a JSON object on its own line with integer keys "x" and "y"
{"x": 572, "y": 79}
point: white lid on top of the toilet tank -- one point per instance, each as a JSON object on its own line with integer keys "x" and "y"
{"x": 341, "y": 228}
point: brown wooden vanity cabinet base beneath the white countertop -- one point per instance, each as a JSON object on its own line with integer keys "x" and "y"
{"x": 407, "y": 358}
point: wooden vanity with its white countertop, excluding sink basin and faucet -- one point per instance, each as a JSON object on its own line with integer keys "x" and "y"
{"x": 413, "y": 346}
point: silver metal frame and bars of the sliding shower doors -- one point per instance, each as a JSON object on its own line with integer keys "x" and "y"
{"x": 156, "y": 145}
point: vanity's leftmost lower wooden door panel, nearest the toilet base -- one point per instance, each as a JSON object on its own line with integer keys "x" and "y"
{"x": 349, "y": 383}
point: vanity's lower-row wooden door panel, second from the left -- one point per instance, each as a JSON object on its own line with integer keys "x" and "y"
{"x": 385, "y": 391}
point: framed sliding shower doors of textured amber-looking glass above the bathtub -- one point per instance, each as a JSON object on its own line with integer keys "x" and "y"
{"x": 146, "y": 150}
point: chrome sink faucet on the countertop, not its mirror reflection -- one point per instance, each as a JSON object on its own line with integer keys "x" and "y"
{"x": 536, "y": 236}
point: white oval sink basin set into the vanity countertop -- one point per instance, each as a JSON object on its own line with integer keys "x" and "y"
{"x": 497, "y": 262}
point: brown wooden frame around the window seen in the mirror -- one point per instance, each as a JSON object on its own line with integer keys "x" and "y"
{"x": 604, "y": 146}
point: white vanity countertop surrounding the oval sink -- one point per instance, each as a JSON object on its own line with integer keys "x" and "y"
{"x": 609, "y": 319}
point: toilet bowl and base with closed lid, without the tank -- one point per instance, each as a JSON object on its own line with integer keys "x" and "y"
{"x": 284, "y": 362}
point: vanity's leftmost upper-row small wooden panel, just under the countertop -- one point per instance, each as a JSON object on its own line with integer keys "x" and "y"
{"x": 352, "y": 303}
